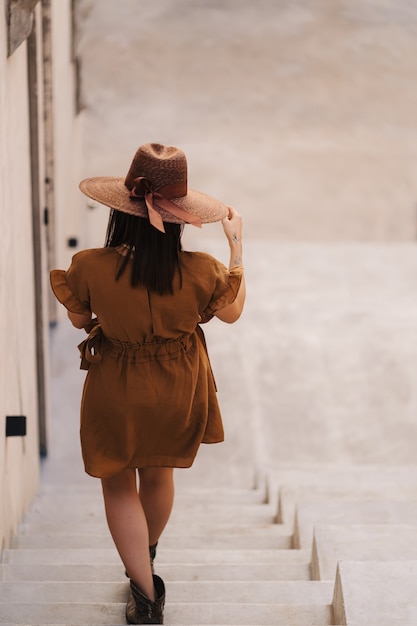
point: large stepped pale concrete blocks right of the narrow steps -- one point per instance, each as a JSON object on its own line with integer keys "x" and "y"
{"x": 361, "y": 522}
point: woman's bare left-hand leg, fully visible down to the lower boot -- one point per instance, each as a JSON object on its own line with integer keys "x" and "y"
{"x": 129, "y": 528}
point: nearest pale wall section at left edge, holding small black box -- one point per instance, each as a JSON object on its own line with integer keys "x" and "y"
{"x": 19, "y": 464}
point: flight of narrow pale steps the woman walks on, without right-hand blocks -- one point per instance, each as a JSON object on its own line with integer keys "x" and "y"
{"x": 224, "y": 559}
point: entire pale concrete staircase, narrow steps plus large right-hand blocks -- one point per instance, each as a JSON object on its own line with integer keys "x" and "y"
{"x": 308, "y": 546}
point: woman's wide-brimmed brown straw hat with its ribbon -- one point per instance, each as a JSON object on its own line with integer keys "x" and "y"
{"x": 156, "y": 188}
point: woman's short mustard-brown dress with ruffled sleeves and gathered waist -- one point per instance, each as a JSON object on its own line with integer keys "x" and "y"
{"x": 149, "y": 397}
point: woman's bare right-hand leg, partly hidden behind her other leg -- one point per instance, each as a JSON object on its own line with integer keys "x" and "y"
{"x": 156, "y": 493}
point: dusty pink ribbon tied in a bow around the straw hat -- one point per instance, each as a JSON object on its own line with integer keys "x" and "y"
{"x": 142, "y": 188}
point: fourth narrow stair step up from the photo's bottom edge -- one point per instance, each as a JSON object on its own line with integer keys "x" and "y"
{"x": 198, "y": 556}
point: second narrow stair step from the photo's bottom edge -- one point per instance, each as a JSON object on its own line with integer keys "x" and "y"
{"x": 230, "y": 592}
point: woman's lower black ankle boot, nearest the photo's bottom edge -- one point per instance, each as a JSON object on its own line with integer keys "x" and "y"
{"x": 141, "y": 610}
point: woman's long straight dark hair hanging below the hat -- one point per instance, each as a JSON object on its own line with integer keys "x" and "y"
{"x": 156, "y": 255}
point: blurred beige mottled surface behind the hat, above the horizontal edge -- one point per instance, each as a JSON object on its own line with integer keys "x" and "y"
{"x": 301, "y": 113}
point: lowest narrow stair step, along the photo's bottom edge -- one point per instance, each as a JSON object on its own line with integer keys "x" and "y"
{"x": 177, "y": 613}
